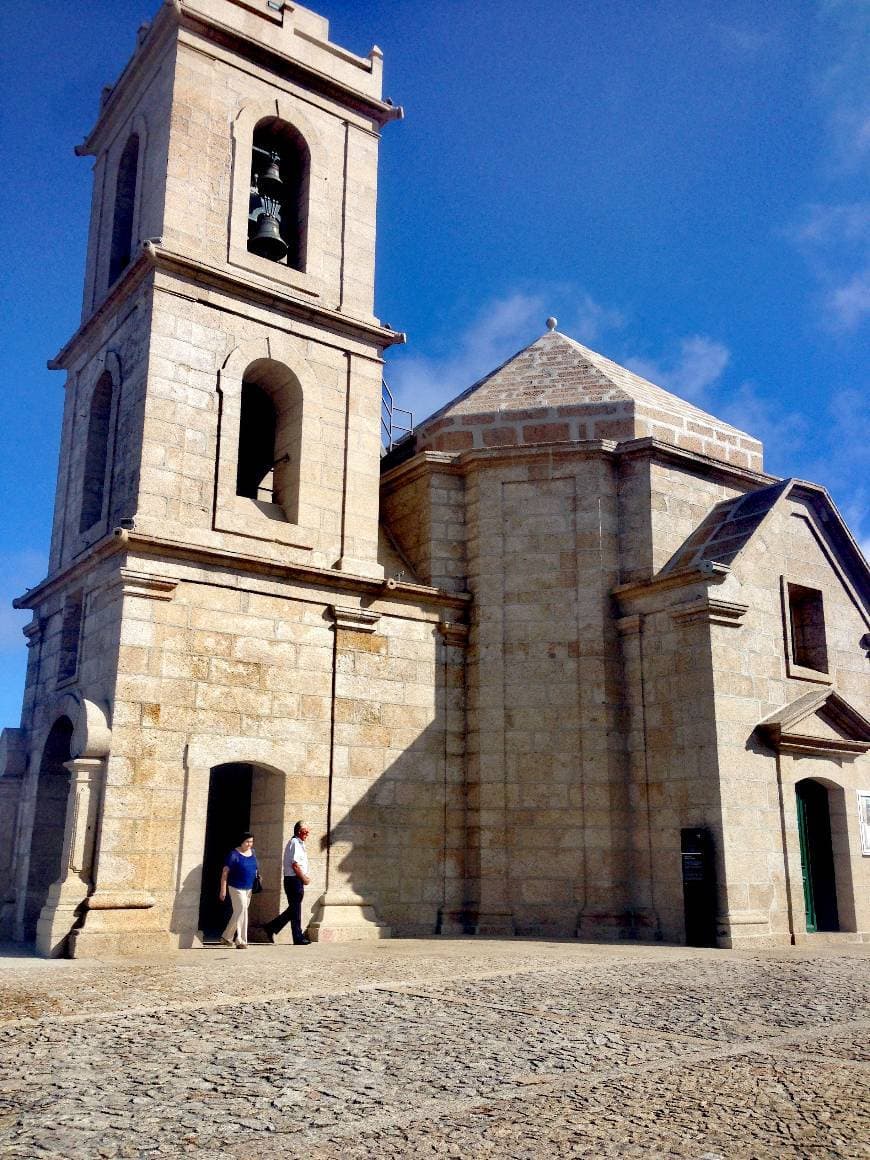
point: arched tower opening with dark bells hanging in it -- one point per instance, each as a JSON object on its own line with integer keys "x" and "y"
{"x": 278, "y": 214}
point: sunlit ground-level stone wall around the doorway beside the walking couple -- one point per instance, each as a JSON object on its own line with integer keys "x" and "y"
{"x": 233, "y": 671}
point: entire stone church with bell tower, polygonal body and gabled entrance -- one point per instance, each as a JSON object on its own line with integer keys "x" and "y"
{"x": 564, "y": 662}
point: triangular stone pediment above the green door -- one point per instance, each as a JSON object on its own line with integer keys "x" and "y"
{"x": 821, "y": 722}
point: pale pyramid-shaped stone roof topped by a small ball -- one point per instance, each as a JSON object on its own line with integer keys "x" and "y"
{"x": 557, "y": 390}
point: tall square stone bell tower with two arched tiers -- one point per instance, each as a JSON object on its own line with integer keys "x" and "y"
{"x": 221, "y": 436}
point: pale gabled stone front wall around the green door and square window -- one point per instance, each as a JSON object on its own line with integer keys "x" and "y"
{"x": 753, "y": 681}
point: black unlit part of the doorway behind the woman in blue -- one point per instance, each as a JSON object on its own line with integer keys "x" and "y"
{"x": 227, "y": 820}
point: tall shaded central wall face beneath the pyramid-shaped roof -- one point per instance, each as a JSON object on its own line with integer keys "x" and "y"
{"x": 545, "y": 759}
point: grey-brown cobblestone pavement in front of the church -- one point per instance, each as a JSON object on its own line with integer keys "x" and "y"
{"x": 449, "y": 1048}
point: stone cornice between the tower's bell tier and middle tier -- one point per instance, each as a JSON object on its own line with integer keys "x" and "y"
{"x": 156, "y": 257}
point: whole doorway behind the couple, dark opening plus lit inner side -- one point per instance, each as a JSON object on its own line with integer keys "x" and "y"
{"x": 242, "y": 797}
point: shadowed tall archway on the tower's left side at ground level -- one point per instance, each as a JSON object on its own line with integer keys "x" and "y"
{"x": 47, "y": 838}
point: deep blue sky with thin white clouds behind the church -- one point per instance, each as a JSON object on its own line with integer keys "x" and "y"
{"x": 685, "y": 186}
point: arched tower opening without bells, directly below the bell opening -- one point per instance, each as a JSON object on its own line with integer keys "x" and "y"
{"x": 271, "y": 438}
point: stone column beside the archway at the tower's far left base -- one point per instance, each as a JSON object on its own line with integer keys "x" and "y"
{"x": 67, "y": 897}
